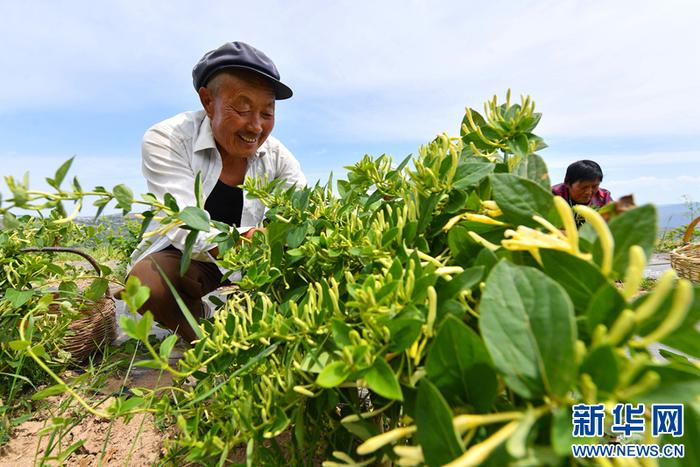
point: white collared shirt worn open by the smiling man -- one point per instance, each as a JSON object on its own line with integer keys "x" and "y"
{"x": 175, "y": 150}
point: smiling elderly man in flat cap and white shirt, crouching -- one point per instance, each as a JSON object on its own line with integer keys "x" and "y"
{"x": 226, "y": 141}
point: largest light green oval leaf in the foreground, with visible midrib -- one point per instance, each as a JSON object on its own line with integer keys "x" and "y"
{"x": 528, "y": 324}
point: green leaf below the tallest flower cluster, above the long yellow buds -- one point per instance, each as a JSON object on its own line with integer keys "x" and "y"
{"x": 520, "y": 199}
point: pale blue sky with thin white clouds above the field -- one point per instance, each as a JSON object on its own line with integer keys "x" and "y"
{"x": 617, "y": 81}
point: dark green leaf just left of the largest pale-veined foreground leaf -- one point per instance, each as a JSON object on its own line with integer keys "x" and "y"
{"x": 459, "y": 365}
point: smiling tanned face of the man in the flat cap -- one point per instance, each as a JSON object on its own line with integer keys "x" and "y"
{"x": 242, "y": 114}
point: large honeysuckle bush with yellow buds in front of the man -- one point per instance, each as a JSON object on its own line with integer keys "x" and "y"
{"x": 443, "y": 311}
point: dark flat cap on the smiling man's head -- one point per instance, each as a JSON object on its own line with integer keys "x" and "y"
{"x": 239, "y": 55}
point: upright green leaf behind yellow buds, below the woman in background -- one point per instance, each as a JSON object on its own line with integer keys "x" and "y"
{"x": 634, "y": 227}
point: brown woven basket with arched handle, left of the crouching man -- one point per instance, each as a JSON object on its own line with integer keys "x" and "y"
{"x": 97, "y": 324}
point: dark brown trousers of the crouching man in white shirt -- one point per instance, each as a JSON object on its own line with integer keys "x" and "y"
{"x": 200, "y": 279}
